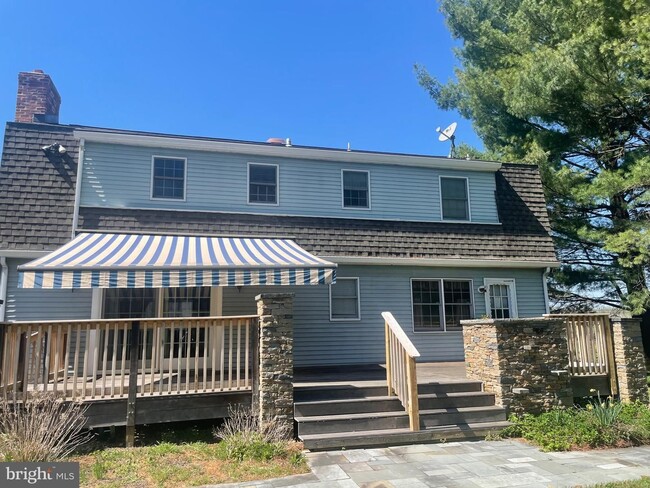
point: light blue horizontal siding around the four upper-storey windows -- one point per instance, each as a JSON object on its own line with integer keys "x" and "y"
{"x": 120, "y": 176}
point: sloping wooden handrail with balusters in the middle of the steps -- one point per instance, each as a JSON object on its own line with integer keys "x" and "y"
{"x": 401, "y": 373}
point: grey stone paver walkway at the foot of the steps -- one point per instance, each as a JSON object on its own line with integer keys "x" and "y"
{"x": 466, "y": 464}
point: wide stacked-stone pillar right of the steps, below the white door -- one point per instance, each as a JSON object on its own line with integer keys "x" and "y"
{"x": 523, "y": 362}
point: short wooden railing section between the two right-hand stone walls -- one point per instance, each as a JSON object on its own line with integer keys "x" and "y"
{"x": 591, "y": 347}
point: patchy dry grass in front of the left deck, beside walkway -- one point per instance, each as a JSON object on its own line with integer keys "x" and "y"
{"x": 167, "y": 464}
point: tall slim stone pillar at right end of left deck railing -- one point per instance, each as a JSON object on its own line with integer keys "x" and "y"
{"x": 275, "y": 388}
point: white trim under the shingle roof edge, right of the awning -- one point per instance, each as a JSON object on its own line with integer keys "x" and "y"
{"x": 457, "y": 263}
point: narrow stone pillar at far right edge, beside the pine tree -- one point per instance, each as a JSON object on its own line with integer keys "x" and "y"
{"x": 630, "y": 360}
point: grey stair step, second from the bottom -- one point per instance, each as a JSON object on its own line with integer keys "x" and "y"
{"x": 356, "y": 422}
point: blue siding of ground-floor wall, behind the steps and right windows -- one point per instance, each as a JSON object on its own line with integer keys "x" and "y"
{"x": 318, "y": 341}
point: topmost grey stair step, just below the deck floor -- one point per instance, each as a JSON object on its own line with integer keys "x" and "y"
{"x": 340, "y": 392}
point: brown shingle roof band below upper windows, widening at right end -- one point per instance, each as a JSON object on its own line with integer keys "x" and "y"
{"x": 522, "y": 236}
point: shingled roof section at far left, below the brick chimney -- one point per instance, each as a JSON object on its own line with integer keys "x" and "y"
{"x": 36, "y": 192}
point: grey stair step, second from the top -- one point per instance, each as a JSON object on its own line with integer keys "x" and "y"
{"x": 392, "y": 404}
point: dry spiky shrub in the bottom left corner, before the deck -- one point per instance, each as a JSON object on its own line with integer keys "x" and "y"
{"x": 43, "y": 428}
